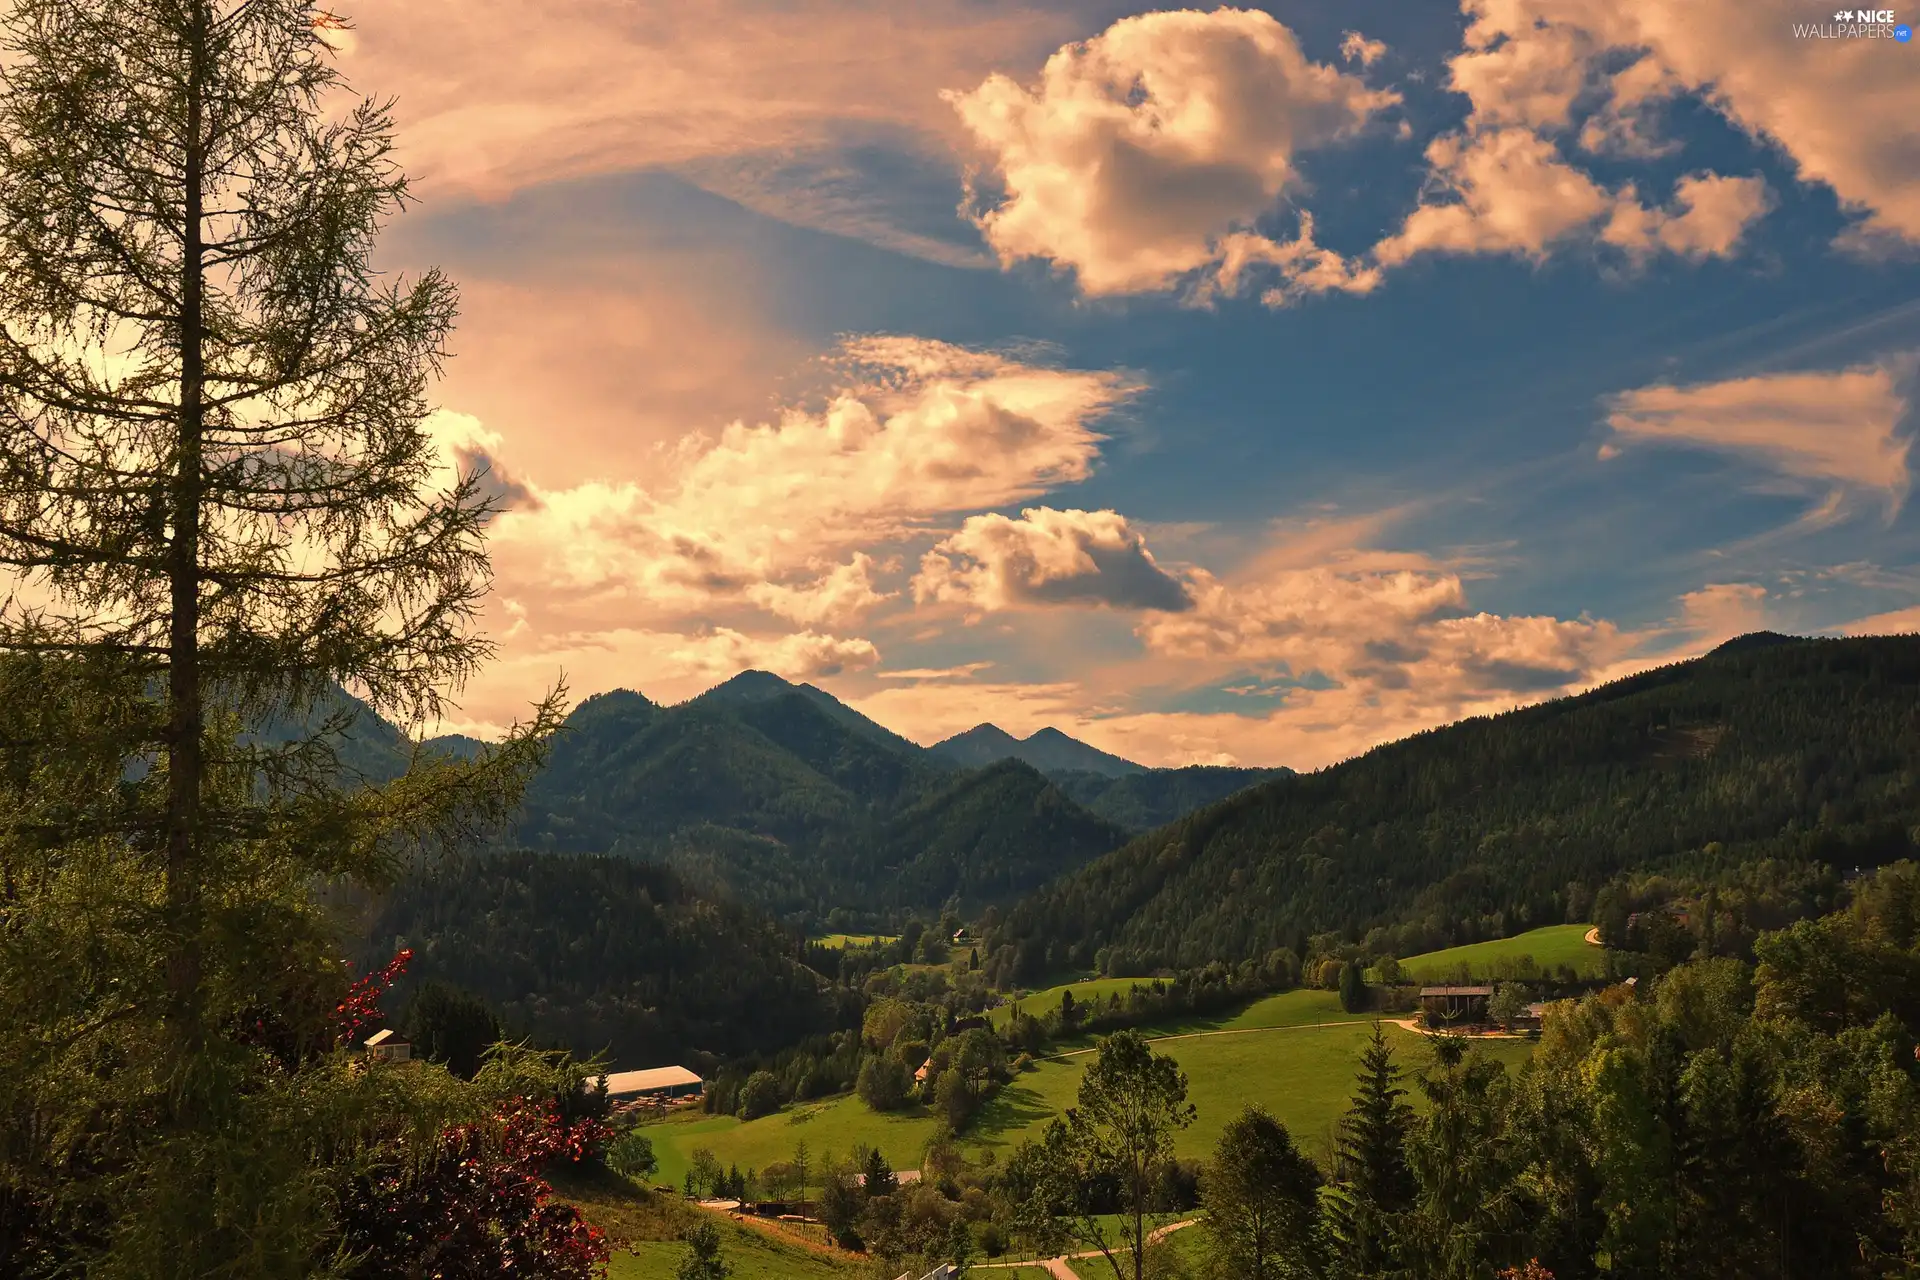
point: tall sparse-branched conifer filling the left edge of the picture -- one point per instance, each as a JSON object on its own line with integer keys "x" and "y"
{"x": 218, "y": 506}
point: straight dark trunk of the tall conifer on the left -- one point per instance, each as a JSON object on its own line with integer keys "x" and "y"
{"x": 185, "y": 717}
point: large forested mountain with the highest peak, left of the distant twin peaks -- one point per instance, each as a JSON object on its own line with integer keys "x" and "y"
{"x": 788, "y": 799}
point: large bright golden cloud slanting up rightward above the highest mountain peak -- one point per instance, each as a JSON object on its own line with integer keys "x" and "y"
{"x": 782, "y": 515}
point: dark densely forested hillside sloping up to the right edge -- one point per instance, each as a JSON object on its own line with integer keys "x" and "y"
{"x": 1790, "y": 751}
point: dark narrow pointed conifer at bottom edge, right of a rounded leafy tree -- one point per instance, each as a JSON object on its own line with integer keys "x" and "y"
{"x": 1376, "y": 1185}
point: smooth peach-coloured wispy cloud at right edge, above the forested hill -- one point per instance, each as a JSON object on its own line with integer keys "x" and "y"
{"x": 1829, "y": 427}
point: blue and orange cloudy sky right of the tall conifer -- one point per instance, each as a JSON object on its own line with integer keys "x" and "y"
{"x": 1220, "y": 387}
